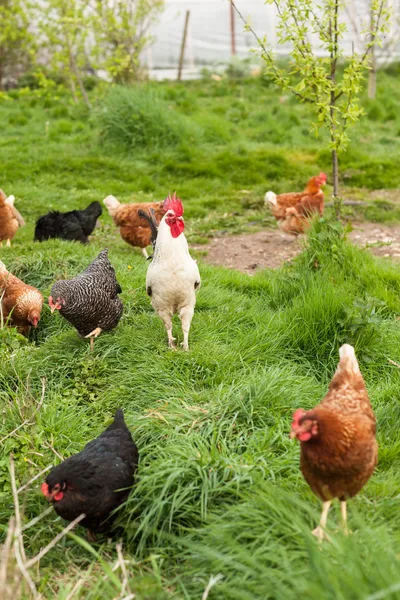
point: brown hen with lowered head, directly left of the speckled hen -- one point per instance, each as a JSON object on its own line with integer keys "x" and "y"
{"x": 21, "y": 304}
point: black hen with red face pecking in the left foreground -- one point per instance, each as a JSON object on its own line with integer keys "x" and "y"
{"x": 96, "y": 480}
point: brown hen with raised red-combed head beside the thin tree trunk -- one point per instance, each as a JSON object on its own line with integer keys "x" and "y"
{"x": 293, "y": 211}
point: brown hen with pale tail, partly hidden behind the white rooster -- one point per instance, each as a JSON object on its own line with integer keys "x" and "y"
{"x": 134, "y": 230}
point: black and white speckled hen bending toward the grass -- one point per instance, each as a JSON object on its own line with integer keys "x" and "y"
{"x": 90, "y": 300}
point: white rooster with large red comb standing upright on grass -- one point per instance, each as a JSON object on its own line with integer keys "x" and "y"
{"x": 173, "y": 276}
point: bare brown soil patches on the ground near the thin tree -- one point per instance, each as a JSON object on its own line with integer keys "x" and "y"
{"x": 271, "y": 248}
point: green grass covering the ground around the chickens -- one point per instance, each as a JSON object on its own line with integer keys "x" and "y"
{"x": 219, "y": 489}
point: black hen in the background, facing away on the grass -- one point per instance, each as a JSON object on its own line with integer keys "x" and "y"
{"x": 75, "y": 225}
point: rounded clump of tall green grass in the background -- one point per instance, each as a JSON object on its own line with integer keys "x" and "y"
{"x": 138, "y": 118}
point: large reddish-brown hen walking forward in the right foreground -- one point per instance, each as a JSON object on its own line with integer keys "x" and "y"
{"x": 339, "y": 450}
